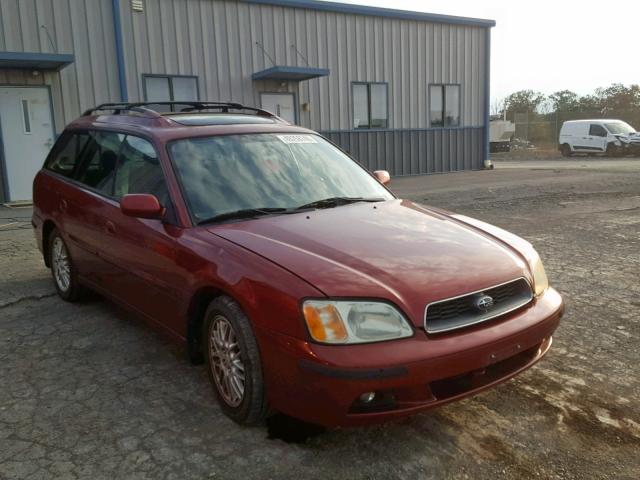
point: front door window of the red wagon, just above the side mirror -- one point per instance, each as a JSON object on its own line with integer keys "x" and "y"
{"x": 139, "y": 170}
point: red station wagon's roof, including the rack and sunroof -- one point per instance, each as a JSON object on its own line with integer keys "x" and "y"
{"x": 191, "y": 119}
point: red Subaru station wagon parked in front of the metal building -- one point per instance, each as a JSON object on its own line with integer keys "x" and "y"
{"x": 306, "y": 286}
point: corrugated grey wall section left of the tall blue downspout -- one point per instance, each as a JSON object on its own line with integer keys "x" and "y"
{"x": 81, "y": 27}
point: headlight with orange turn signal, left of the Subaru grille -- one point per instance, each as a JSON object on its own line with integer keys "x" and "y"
{"x": 343, "y": 321}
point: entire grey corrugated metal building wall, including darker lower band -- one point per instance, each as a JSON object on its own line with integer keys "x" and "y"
{"x": 216, "y": 41}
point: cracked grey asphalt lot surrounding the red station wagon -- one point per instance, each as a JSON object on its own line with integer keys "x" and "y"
{"x": 89, "y": 391}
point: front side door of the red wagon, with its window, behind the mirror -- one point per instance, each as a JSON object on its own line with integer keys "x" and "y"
{"x": 144, "y": 271}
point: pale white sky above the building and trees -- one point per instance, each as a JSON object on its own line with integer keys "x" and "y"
{"x": 550, "y": 45}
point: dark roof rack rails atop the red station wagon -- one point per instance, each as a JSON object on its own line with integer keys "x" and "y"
{"x": 143, "y": 108}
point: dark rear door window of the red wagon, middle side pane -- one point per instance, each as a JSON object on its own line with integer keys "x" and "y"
{"x": 99, "y": 160}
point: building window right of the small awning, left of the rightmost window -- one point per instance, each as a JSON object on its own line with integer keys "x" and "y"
{"x": 370, "y": 105}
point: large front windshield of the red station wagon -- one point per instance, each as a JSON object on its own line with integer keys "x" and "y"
{"x": 224, "y": 174}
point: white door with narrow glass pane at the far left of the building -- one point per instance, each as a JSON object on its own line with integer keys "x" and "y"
{"x": 27, "y": 136}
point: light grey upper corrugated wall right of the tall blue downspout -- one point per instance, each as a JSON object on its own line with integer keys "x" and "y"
{"x": 216, "y": 40}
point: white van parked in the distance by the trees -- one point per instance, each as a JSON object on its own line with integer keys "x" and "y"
{"x": 613, "y": 137}
